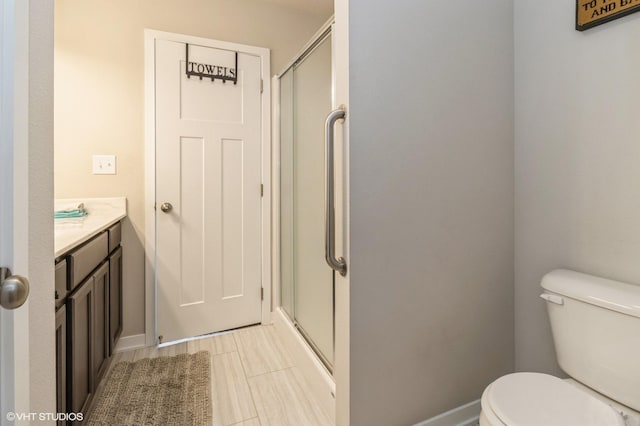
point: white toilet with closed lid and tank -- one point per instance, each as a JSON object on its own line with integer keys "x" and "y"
{"x": 596, "y": 330}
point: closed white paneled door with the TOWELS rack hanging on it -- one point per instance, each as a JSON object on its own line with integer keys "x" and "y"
{"x": 208, "y": 191}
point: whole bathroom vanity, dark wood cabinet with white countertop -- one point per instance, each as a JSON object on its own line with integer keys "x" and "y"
{"x": 88, "y": 298}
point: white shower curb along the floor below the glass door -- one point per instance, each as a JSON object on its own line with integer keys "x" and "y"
{"x": 318, "y": 378}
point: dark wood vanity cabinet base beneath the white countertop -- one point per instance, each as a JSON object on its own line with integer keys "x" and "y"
{"x": 89, "y": 320}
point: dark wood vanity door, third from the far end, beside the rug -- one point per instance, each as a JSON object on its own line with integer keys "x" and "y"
{"x": 80, "y": 344}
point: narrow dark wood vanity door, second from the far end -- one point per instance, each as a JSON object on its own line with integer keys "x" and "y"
{"x": 100, "y": 322}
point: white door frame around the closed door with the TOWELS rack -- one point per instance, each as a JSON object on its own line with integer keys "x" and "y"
{"x": 150, "y": 36}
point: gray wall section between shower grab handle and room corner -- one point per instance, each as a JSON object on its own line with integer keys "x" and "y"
{"x": 431, "y": 169}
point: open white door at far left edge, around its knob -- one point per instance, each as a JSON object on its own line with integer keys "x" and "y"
{"x": 14, "y": 229}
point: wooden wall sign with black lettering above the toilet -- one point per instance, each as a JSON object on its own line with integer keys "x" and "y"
{"x": 590, "y": 13}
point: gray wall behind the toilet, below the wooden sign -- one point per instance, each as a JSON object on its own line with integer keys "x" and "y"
{"x": 577, "y": 159}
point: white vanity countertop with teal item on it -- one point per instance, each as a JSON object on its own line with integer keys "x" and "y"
{"x": 103, "y": 212}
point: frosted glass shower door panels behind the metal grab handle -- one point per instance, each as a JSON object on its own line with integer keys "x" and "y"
{"x": 306, "y": 280}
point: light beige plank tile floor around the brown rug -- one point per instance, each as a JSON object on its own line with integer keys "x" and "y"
{"x": 253, "y": 380}
